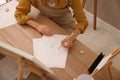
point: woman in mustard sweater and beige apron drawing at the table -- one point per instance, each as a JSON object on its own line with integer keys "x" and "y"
{"x": 58, "y": 11}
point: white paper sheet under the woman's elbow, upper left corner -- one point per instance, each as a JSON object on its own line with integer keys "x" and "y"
{"x": 8, "y": 18}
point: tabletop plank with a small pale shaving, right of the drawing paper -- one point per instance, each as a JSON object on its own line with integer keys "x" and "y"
{"x": 87, "y": 57}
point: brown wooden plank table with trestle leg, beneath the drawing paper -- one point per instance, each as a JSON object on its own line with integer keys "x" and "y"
{"x": 20, "y": 37}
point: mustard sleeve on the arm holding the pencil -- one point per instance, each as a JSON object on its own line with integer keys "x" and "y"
{"x": 80, "y": 17}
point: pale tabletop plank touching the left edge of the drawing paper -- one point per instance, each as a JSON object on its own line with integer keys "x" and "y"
{"x": 17, "y": 39}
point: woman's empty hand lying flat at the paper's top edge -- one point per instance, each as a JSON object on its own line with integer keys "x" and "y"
{"x": 45, "y": 30}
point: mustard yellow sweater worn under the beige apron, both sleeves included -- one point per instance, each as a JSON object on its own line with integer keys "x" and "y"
{"x": 24, "y": 7}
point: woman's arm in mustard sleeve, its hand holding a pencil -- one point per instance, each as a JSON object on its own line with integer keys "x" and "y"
{"x": 81, "y": 25}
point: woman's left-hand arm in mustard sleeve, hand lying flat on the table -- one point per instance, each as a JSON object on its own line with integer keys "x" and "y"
{"x": 21, "y": 12}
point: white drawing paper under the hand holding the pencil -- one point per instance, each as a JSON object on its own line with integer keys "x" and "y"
{"x": 48, "y": 51}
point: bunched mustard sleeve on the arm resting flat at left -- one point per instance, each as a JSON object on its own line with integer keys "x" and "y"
{"x": 22, "y": 9}
